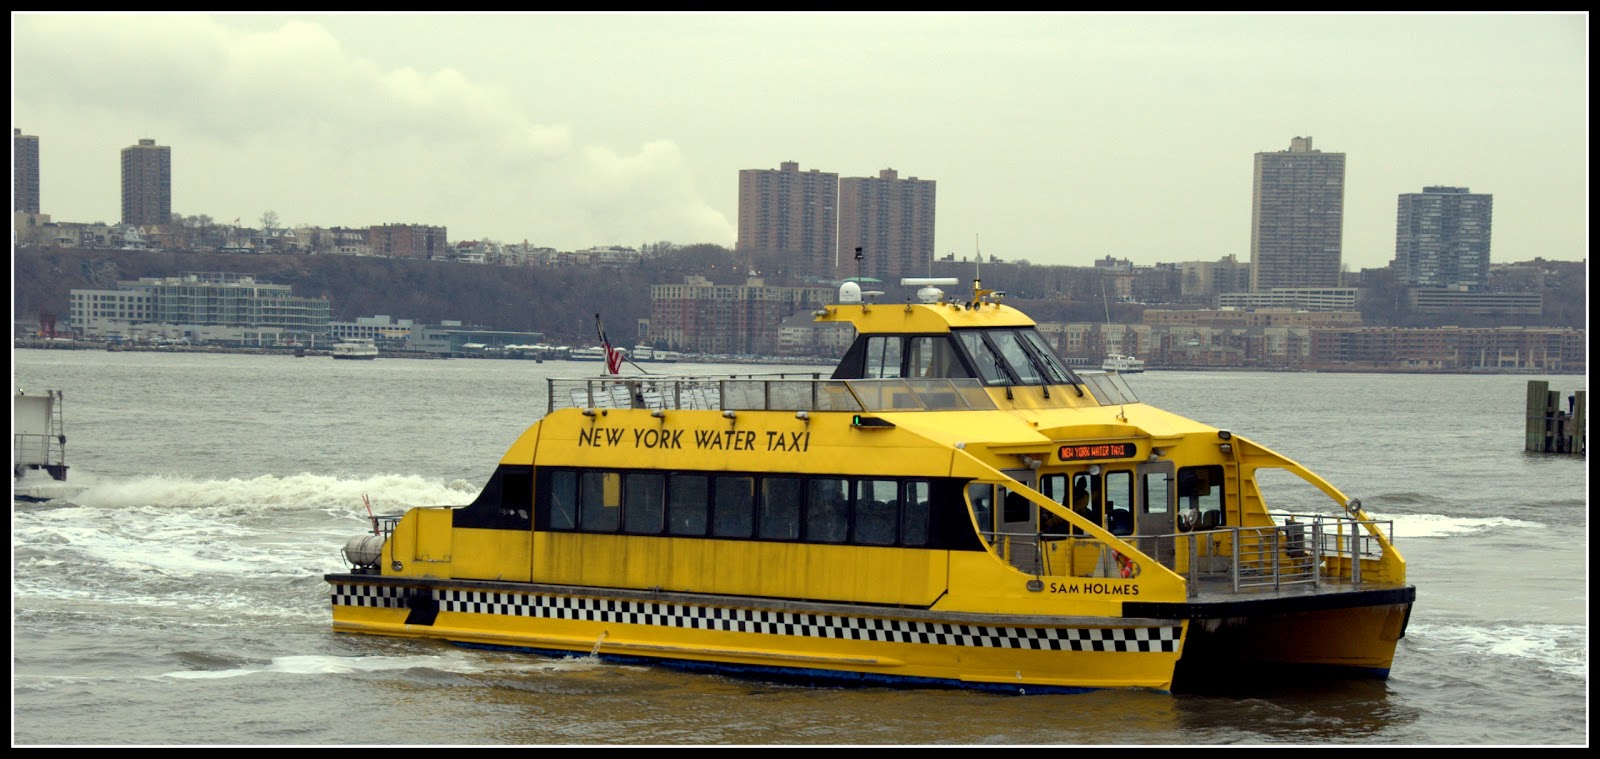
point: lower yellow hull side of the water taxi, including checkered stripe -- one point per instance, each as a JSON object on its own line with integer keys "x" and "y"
{"x": 780, "y": 640}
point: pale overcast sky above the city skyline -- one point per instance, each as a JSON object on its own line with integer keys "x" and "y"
{"x": 1054, "y": 139}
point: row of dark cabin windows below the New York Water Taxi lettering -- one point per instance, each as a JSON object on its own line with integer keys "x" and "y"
{"x": 694, "y": 505}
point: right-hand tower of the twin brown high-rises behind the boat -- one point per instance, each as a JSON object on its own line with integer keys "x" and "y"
{"x": 892, "y": 222}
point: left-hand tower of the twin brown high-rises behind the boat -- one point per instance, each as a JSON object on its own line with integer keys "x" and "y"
{"x": 793, "y": 215}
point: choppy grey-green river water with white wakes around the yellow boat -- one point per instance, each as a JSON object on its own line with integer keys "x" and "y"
{"x": 180, "y": 600}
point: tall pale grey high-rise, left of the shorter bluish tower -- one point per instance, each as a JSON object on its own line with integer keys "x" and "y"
{"x": 1297, "y": 222}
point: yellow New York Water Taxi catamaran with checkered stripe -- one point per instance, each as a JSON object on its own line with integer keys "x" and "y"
{"x": 951, "y": 508}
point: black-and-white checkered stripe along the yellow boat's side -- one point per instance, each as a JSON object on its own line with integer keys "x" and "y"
{"x": 1158, "y": 640}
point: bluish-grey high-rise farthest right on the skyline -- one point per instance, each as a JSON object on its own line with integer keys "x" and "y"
{"x": 1442, "y": 239}
